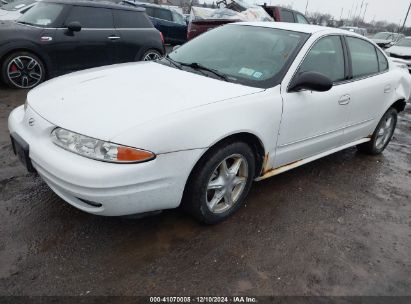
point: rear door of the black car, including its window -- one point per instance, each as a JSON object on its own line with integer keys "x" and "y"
{"x": 135, "y": 31}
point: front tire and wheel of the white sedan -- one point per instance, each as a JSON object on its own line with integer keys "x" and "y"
{"x": 212, "y": 185}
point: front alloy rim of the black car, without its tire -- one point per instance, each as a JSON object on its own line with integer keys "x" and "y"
{"x": 24, "y": 72}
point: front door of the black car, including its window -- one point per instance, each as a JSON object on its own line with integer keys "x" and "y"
{"x": 95, "y": 45}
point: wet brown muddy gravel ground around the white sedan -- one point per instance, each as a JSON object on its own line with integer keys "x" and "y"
{"x": 337, "y": 226}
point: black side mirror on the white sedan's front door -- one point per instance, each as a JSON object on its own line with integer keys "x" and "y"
{"x": 312, "y": 81}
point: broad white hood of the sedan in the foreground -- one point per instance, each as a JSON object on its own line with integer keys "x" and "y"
{"x": 104, "y": 102}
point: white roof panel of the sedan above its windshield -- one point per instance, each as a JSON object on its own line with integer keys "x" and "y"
{"x": 296, "y": 27}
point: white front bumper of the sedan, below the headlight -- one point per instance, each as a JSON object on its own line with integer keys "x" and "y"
{"x": 99, "y": 187}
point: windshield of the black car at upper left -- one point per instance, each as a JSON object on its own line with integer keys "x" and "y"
{"x": 43, "y": 14}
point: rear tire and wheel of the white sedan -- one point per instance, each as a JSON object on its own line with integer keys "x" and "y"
{"x": 382, "y": 134}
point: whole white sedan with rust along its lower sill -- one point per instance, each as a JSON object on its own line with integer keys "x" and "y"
{"x": 238, "y": 104}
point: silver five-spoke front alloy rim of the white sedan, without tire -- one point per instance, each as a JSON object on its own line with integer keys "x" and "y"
{"x": 227, "y": 183}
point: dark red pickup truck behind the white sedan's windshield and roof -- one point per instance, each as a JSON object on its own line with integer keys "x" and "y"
{"x": 279, "y": 14}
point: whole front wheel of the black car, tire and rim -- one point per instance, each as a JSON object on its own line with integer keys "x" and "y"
{"x": 28, "y": 70}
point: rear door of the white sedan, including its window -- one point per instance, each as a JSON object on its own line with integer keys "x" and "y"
{"x": 371, "y": 88}
